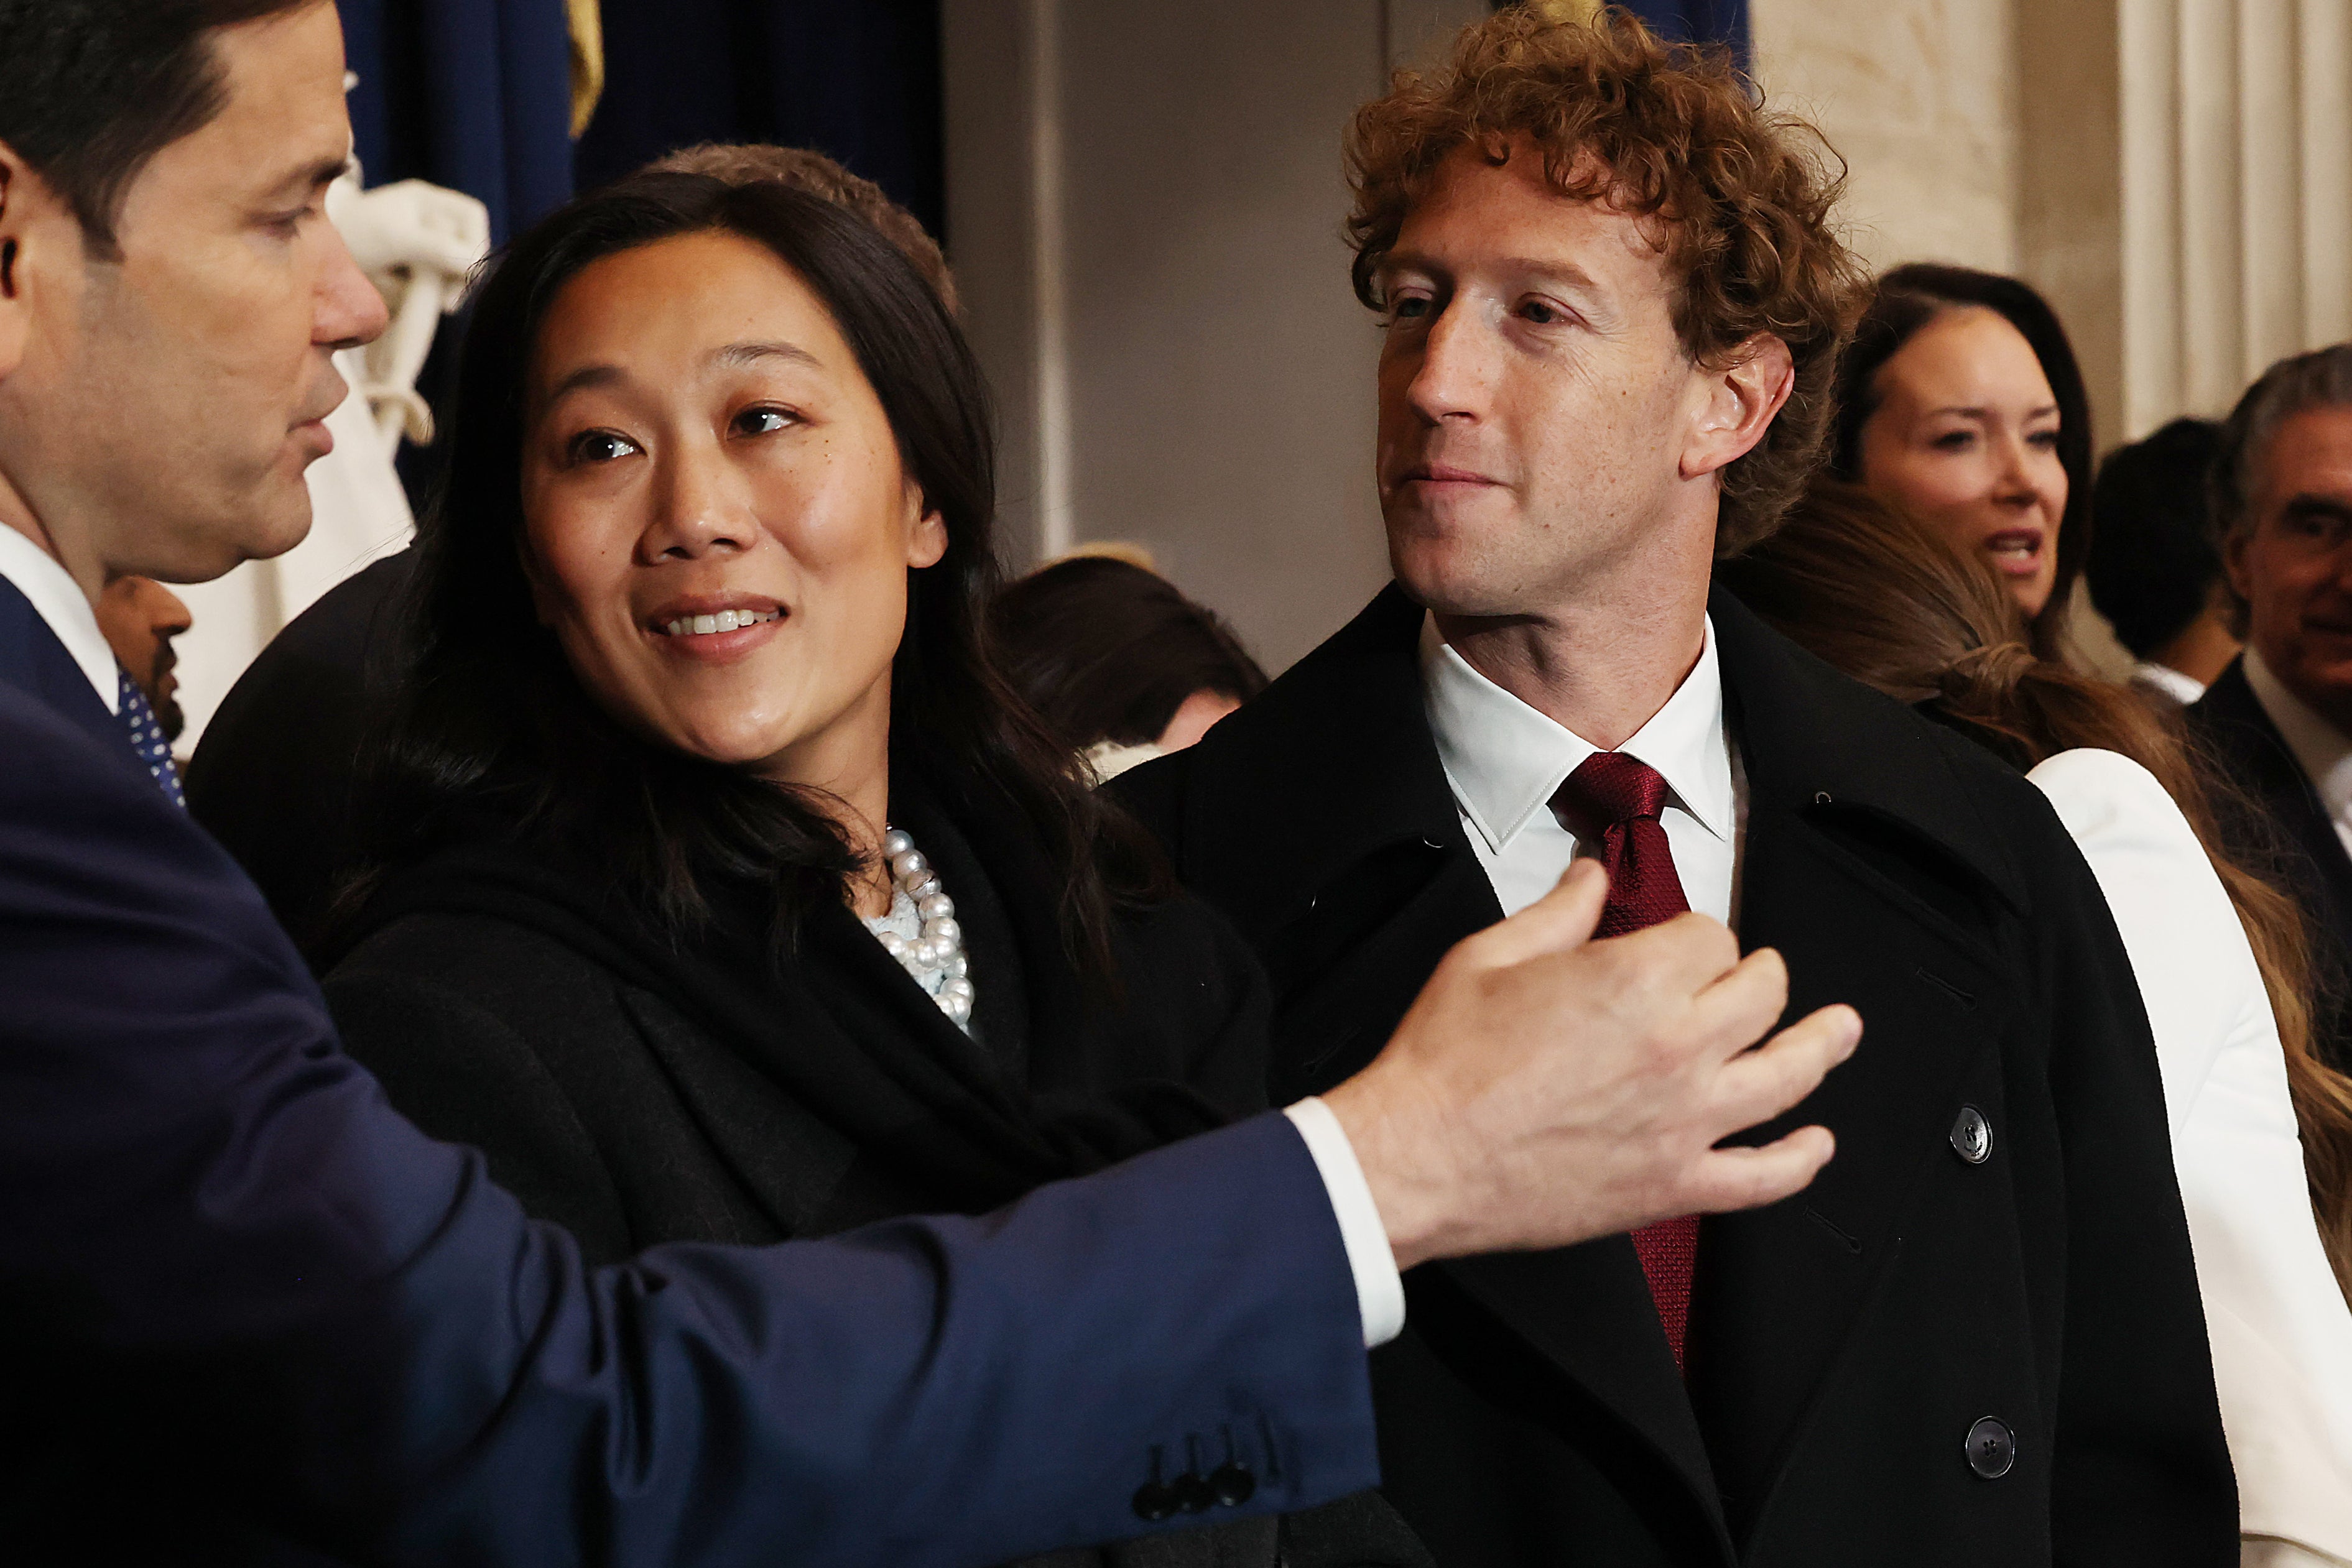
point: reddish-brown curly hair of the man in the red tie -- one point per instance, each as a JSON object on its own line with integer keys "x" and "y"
{"x": 1664, "y": 133}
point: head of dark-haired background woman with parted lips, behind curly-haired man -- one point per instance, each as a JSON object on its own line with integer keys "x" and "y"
{"x": 1963, "y": 406}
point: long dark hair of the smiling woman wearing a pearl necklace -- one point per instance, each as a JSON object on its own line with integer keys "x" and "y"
{"x": 495, "y": 725}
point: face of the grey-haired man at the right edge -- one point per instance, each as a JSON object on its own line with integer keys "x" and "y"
{"x": 2294, "y": 565}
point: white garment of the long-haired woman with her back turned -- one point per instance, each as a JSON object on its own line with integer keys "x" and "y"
{"x": 2276, "y": 1315}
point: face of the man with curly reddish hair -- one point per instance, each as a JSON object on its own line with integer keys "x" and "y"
{"x": 1535, "y": 396}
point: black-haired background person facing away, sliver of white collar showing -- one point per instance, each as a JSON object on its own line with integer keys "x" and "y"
{"x": 2153, "y": 570}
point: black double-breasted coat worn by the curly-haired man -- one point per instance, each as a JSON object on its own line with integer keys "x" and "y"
{"x": 1855, "y": 1346}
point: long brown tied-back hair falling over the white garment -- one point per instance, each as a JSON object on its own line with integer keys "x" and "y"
{"x": 1895, "y": 605}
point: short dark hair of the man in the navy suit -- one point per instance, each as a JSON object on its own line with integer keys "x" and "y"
{"x": 91, "y": 91}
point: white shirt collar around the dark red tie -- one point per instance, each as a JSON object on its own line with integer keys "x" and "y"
{"x": 1506, "y": 760}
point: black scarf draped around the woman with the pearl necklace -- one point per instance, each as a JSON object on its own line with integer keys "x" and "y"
{"x": 968, "y": 1125}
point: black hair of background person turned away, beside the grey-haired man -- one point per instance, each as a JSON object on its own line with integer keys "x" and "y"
{"x": 2153, "y": 563}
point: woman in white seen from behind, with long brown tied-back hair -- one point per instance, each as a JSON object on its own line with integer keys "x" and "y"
{"x": 2219, "y": 958}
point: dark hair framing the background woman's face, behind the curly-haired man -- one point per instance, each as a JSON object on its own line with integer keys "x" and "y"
{"x": 1909, "y": 300}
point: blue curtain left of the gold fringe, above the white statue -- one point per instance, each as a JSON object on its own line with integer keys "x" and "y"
{"x": 474, "y": 95}
